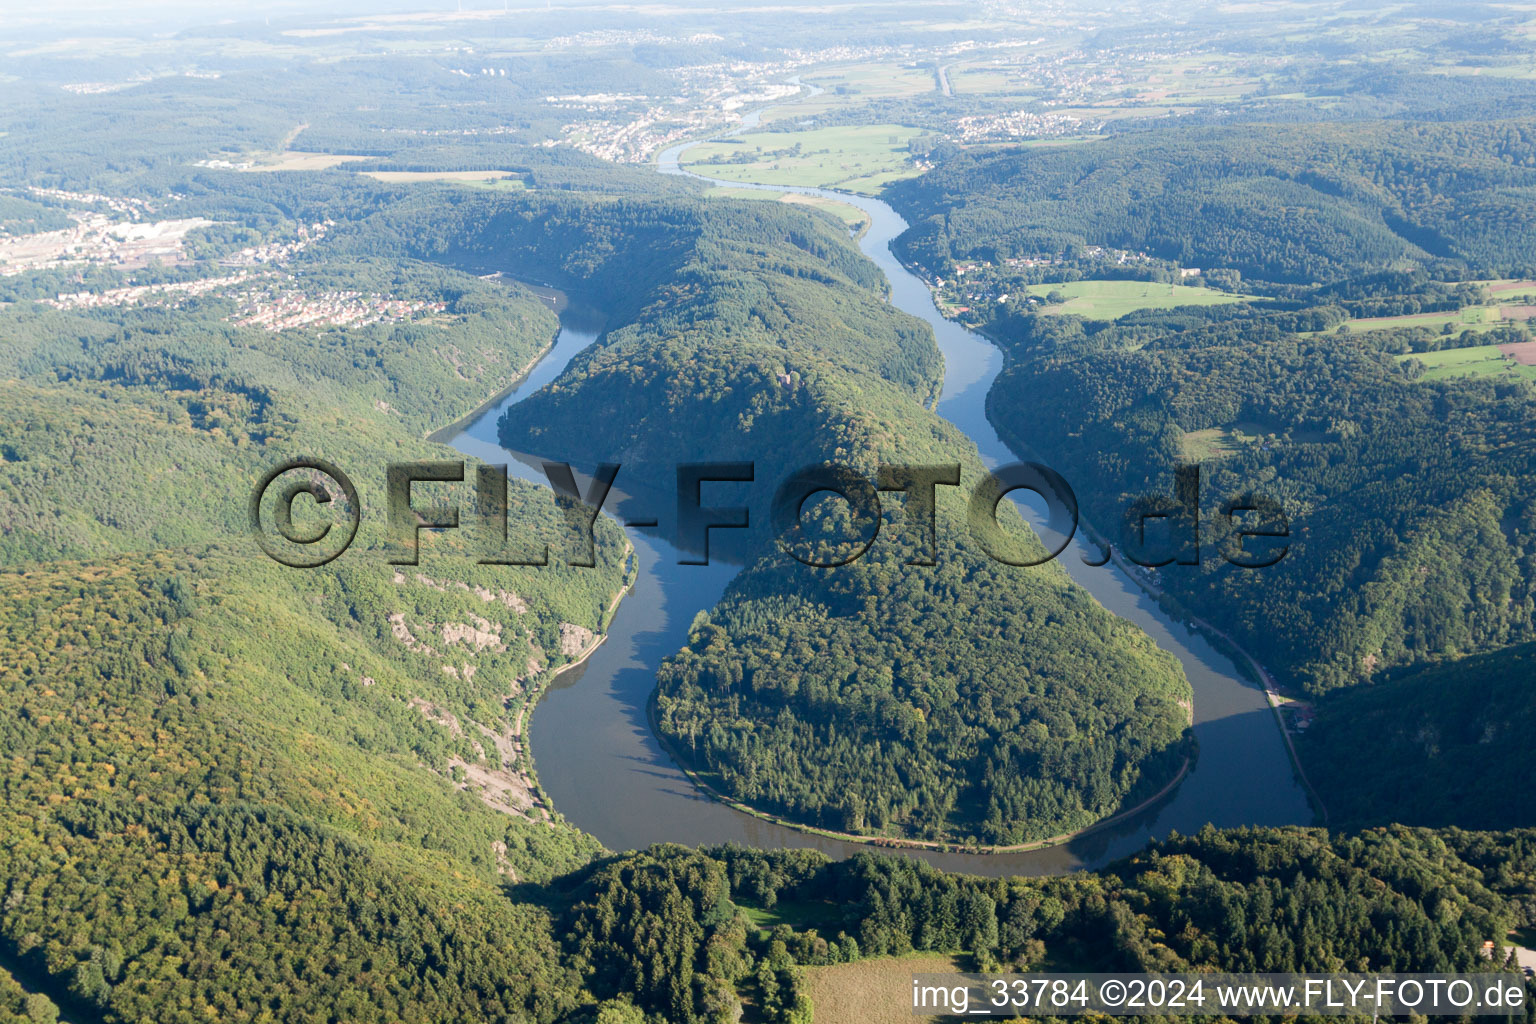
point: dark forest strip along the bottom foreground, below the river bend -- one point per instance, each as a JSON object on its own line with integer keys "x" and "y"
{"x": 677, "y": 931}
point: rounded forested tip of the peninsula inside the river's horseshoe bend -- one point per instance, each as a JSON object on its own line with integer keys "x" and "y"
{"x": 944, "y": 704}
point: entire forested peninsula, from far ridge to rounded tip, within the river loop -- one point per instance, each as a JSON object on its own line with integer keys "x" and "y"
{"x": 987, "y": 702}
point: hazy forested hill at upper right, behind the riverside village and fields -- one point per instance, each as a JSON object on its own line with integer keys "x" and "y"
{"x": 1289, "y": 203}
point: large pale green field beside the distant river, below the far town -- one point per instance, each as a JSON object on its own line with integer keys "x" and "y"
{"x": 859, "y": 159}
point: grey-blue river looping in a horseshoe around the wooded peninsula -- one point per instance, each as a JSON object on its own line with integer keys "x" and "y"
{"x": 607, "y": 775}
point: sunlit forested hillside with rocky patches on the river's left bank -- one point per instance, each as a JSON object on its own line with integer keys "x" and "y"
{"x": 222, "y": 771}
